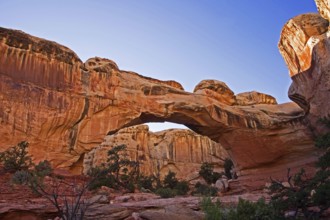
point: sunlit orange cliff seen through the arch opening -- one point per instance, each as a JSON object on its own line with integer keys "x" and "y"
{"x": 178, "y": 150}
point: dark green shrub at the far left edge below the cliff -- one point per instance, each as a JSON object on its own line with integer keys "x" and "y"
{"x": 16, "y": 158}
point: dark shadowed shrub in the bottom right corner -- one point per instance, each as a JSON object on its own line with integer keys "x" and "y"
{"x": 303, "y": 192}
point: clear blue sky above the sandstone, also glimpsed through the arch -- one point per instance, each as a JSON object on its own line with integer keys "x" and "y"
{"x": 183, "y": 40}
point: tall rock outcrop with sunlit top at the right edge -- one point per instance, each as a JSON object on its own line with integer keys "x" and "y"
{"x": 305, "y": 46}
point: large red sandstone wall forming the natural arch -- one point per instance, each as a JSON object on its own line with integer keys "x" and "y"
{"x": 65, "y": 108}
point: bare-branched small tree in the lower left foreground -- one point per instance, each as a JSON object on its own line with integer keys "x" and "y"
{"x": 67, "y": 197}
